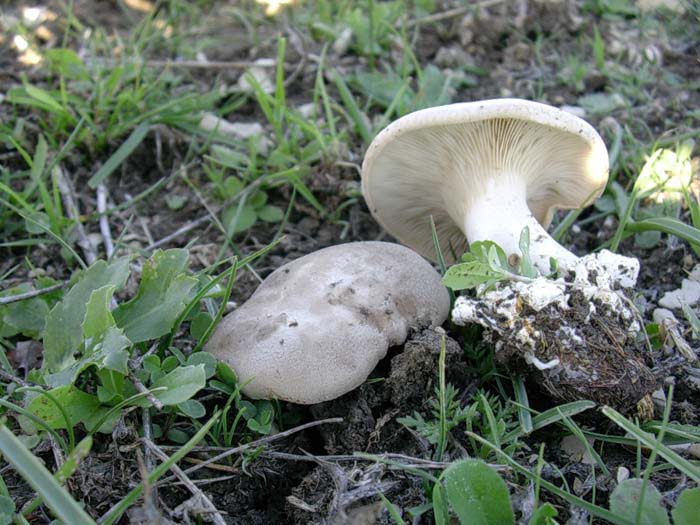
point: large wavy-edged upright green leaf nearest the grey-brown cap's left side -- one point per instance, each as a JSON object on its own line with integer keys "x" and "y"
{"x": 164, "y": 292}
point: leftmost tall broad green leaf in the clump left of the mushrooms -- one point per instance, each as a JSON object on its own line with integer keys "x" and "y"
{"x": 63, "y": 333}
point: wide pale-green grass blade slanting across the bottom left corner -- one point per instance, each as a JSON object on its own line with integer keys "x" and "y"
{"x": 56, "y": 497}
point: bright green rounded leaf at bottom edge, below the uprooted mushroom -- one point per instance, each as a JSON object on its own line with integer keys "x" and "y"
{"x": 477, "y": 494}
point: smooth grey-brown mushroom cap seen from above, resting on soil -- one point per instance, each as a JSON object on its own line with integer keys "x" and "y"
{"x": 317, "y": 326}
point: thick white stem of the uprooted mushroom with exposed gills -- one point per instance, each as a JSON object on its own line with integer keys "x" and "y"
{"x": 500, "y": 213}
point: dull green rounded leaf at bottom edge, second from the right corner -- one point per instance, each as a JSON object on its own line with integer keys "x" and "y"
{"x": 626, "y": 499}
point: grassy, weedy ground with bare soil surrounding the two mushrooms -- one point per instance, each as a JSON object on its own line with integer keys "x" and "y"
{"x": 159, "y": 160}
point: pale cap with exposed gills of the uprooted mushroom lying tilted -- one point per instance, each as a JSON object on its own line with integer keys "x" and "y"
{"x": 434, "y": 162}
